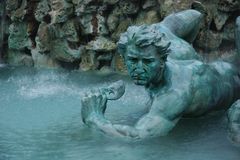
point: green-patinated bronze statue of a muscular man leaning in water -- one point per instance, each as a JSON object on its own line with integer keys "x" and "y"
{"x": 179, "y": 83}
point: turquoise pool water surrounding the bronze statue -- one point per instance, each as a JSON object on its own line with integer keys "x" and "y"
{"x": 40, "y": 120}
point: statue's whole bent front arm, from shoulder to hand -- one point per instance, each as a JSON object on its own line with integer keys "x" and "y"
{"x": 165, "y": 112}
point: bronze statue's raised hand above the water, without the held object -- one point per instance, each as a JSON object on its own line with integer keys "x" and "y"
{"x": 93, "y": 106}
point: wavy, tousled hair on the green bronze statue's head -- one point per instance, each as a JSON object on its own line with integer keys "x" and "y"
{"x": 143, "y": 36}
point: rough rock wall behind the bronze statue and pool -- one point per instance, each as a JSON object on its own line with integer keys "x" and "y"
{"x": 82, "y": 34}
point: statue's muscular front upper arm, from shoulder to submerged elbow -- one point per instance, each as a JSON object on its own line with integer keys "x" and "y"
{"x": 164, "y": 114}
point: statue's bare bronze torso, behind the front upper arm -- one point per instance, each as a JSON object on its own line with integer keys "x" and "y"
{"x": 205, "y": 86}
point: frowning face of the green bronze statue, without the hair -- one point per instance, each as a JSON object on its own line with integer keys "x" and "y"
{"x": 144, "y": 64}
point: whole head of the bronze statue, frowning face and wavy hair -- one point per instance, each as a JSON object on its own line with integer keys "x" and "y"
{"x": 144, "y": 49}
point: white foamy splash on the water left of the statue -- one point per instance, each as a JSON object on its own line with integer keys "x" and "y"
{"x": 43, "y": 85}
